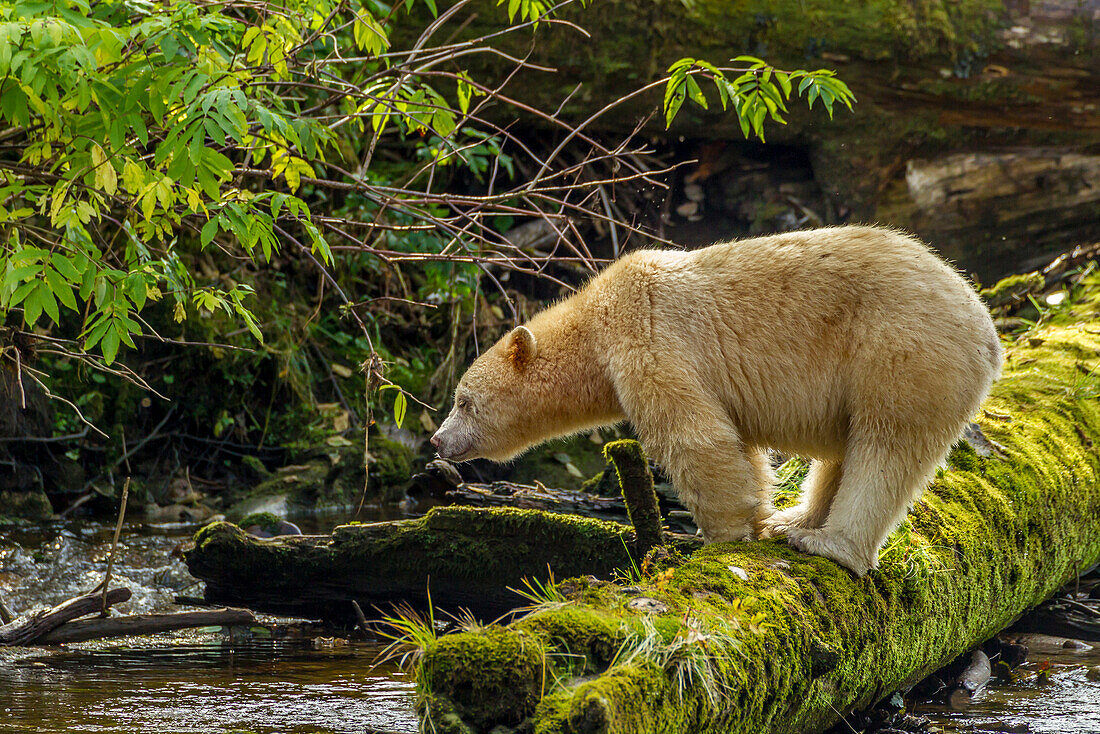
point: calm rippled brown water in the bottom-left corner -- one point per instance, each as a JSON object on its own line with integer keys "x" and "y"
{"x": 199, "y": 685}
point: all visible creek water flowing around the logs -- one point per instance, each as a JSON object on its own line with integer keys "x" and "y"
{"x": 205, "y": 683}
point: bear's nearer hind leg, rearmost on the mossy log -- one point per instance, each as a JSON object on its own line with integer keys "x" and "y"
{"x": 878, "y": 483}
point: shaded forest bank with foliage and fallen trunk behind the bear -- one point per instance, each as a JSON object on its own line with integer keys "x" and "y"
{"x": 393, "y": 187}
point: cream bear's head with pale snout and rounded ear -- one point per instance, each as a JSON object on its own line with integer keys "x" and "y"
{"x": 492, "y": 414}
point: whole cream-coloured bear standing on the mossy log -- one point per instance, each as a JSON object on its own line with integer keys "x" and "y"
{"x": 853, "y": 346}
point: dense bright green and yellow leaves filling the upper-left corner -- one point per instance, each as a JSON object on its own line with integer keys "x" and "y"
{"x": 134, "y": 126}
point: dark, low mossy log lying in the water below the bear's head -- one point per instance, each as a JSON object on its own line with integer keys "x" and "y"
{"x": 466, "y": 557}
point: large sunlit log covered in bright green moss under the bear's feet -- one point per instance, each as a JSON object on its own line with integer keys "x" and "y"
{"x": 757, "y": 638}
